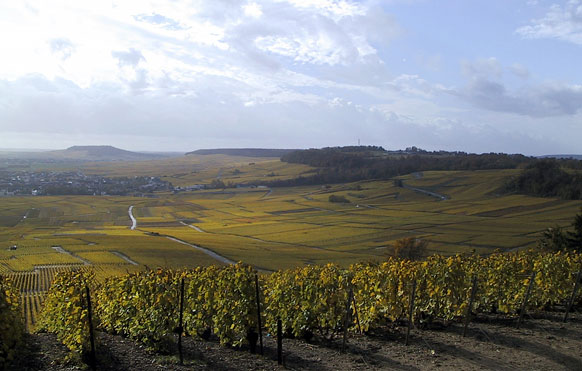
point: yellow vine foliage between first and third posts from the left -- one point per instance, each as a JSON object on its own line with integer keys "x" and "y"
{"x": 145, "y": 305}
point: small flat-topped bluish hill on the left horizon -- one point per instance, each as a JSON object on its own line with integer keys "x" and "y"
{"x": 100, "y": 153}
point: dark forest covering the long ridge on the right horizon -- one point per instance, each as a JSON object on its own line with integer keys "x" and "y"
{"x": 545, "y": 177}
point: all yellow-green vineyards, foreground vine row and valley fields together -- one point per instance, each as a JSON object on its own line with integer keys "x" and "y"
{"x": 312, "y": 248}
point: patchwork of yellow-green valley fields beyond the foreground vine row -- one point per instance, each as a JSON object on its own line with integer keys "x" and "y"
{"x": 269, "y": 228}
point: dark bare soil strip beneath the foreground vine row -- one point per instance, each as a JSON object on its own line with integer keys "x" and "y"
{"x": 543, "y": 342}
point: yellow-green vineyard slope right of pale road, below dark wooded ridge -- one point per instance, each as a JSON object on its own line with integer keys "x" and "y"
{"x": 297, "y": 225}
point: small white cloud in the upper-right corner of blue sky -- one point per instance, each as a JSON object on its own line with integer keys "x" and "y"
{"x": 560, "y": 22}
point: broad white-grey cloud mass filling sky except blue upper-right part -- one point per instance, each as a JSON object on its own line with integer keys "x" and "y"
{"x": 248, "y": 72}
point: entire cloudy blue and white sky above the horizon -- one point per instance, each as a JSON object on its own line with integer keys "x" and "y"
{"x": 177, "y": 75}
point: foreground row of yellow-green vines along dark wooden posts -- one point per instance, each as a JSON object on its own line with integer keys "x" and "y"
{"x": 310, "y": 300}
